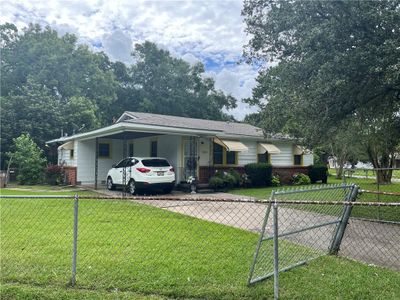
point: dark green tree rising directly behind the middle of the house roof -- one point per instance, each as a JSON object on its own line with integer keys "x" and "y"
{"x": 167, "y": 85}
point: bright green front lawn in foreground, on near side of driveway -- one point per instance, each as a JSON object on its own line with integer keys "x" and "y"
{"x": 128, "y": 250}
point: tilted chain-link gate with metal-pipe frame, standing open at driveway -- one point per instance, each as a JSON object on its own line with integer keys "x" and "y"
{"x": 300, "y": 232}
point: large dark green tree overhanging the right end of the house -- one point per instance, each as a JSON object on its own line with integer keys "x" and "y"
{"x": 334, "y": 59}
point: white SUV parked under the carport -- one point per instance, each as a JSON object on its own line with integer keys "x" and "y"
{"x": 142, "y": 173}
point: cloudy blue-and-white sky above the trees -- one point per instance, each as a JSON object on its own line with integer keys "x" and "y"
{"x": 208, "y": 31}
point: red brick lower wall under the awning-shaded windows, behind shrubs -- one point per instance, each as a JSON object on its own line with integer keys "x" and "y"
{"x": 285, "y": 173}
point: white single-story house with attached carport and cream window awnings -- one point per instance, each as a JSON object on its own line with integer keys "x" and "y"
{"x": 194, "y": 147}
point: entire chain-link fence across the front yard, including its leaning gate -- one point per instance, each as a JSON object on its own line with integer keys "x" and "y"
{"x": 165, "y": 245}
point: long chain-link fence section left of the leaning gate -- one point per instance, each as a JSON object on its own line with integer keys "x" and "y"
{"x": 151, "y": 244}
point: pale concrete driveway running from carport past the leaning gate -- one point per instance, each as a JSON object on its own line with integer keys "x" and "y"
{"x": 370, "y": 242}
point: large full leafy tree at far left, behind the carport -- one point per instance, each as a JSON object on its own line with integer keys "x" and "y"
{"x": 50, "y": 83}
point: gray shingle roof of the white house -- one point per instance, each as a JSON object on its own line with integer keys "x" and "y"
{"x": 228, "y": 128}
